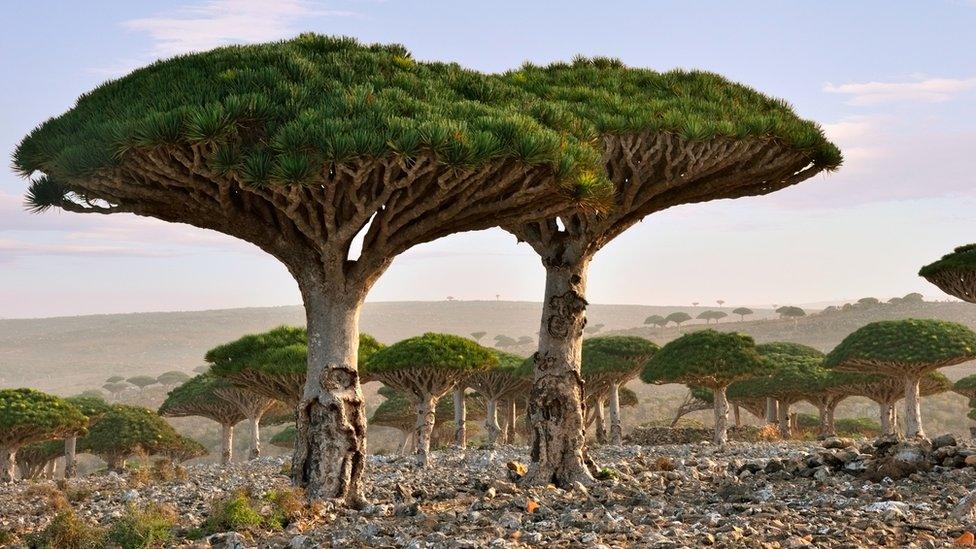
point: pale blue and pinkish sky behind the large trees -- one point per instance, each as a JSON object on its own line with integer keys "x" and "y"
{"x": 893, "y": 83}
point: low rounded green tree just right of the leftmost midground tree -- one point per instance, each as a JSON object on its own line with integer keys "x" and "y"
{"x": 125, "y": 431}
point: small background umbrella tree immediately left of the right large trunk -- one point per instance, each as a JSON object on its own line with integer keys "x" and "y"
{"x": 500, "y": 382}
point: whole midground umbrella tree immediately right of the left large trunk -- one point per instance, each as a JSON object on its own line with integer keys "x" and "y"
{"x": 425, "y": 368}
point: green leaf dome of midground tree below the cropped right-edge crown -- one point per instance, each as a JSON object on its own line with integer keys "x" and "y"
{"x": 906, "y": 342}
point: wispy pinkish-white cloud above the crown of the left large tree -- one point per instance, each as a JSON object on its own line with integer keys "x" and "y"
{"x": 215, "y": 23}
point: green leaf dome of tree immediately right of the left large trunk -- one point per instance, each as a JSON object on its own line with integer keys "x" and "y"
{"x": 431, "y": 351}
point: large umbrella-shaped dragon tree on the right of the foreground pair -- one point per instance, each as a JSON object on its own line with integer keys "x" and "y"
{"x": 665, "y": 139}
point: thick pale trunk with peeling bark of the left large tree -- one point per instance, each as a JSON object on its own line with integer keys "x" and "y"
{"x": 330, "y": 443}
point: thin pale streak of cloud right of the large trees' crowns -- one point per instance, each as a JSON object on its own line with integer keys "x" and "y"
{"x": 931, "y": 90}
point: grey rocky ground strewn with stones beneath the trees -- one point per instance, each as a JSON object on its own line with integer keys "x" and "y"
{"x": 834, "y": 494}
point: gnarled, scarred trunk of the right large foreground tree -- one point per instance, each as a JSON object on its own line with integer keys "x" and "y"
{"x": 556, "y": 402}
